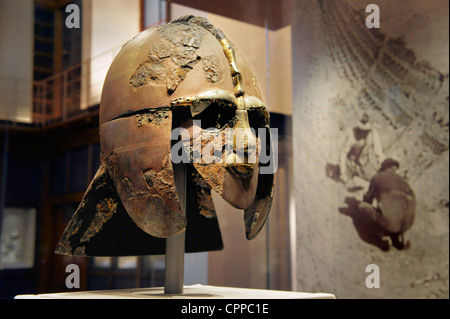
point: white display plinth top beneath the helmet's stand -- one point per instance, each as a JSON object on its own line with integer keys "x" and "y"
{"x": 190, "y": 292}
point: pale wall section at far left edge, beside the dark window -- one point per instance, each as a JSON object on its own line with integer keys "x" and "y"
{"x": 16, "y": 59}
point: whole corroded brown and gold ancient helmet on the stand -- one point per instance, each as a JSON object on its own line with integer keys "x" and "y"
{"x": 180, "y": 93}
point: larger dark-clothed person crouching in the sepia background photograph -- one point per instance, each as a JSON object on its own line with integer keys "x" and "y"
{"x": 396, "y": 203}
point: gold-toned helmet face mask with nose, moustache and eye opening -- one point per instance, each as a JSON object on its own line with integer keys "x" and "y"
{"x": 223, "y": 148}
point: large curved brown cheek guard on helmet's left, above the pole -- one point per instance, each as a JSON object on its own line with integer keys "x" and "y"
{"x": 139, "y": 163}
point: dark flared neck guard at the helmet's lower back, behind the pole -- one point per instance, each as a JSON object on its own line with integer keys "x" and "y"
{"x": 101, "y": 226}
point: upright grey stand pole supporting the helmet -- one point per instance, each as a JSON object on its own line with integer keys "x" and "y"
{"x": 174, "y": 268}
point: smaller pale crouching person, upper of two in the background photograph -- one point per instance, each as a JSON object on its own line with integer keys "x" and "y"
{"x": 361, "y": 153}
